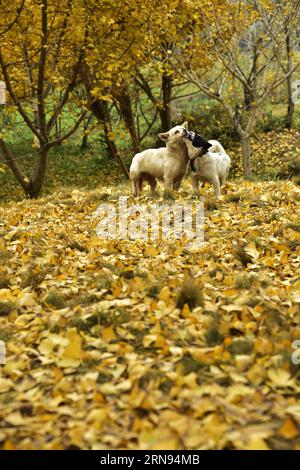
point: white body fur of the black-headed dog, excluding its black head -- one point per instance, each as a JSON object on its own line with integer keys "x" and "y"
{"x": 213, "y": 167}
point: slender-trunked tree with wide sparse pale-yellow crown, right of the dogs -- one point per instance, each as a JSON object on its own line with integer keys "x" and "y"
{"x": 238, "y": 58}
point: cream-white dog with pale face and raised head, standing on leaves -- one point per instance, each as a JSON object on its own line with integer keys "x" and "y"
{"x": 167, "y": 164}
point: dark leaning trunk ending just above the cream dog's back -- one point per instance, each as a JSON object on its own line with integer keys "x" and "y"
{"x": 124, "y": 100}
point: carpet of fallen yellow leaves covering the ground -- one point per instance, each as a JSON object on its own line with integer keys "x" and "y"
{"x": 130, "y": 345}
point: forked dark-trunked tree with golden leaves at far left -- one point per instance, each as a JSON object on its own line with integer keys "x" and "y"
{"x": 40, "y": 63}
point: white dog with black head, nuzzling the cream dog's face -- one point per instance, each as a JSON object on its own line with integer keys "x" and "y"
{"x": 209, "y": 162}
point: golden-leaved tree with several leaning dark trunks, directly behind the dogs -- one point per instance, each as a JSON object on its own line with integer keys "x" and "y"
{"x": 131, "y": 38}
